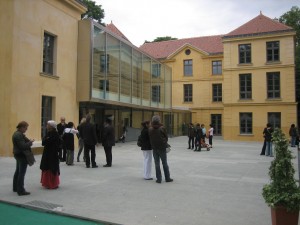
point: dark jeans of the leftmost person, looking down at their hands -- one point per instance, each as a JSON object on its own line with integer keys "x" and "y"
{"x": 19, "y": 176}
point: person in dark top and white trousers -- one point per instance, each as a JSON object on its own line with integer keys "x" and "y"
{"x": 147, "y": 150}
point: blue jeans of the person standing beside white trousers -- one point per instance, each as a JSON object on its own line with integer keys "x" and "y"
{"x": 163, "y": 156}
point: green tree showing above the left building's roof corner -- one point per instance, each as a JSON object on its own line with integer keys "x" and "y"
{"x": 94, "y": 11}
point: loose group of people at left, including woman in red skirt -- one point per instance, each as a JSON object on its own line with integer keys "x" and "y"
{"x": 59, "y": 147}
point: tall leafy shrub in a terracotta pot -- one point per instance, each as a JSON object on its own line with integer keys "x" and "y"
{"x": 283, "y": 193}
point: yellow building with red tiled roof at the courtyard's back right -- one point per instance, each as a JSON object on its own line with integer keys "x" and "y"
{"x": 237, "y": 82}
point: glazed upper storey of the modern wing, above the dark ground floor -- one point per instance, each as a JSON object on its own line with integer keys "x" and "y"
{"x": 120, "y": 72}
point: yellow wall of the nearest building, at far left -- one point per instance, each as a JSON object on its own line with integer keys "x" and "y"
{"x": 29, "y": 82}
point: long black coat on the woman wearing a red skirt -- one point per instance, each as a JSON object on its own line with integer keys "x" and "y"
{"x": 50, "y": 159}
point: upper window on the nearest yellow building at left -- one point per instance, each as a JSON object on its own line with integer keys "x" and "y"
{"x": 48, "y": 54}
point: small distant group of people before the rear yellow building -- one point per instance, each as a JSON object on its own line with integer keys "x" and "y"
{"x": 197, "y": 135}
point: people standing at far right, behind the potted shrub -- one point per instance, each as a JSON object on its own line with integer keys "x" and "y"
{"x": 267, "y": 148}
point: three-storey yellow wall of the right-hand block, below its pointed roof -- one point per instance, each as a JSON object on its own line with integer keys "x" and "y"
{"x": 272, "y": 85}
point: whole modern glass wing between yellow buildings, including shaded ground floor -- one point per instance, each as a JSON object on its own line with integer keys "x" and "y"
{"x": 119, "y": 81}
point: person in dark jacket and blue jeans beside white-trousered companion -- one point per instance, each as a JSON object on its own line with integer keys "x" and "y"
{"x": 159, "y": 140}
